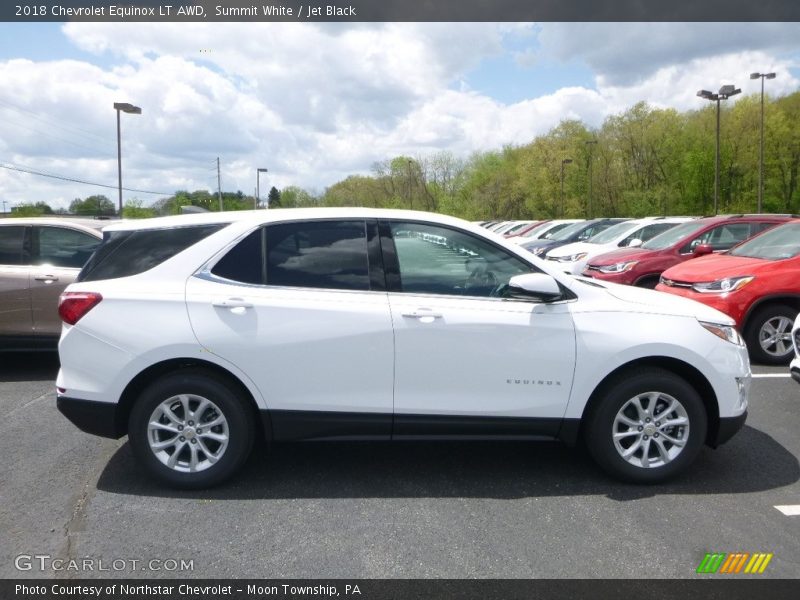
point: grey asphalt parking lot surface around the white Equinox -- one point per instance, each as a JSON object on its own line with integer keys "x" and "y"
{"x": 369, "y": 510}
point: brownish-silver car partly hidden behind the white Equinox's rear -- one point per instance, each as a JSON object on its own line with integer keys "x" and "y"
{"x": 39, "y": 257}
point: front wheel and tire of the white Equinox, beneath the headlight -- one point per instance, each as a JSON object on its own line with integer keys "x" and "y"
{"x": 601, "y": 425}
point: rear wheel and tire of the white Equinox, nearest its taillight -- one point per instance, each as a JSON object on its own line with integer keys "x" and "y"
{"x": 223, "y": 400}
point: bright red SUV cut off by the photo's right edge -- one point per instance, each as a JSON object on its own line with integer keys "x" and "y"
{"x": 757, "y": 284}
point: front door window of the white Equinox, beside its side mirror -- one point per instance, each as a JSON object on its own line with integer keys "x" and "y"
{"x": 438, "y": 260}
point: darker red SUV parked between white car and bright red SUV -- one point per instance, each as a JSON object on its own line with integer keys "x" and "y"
{"x": 642, "y": 266}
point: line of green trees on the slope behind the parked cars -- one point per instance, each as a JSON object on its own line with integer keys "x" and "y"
{"x": 644, "y": 161}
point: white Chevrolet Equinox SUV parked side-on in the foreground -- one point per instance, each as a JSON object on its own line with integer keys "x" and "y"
{"x": 193, "y": 334}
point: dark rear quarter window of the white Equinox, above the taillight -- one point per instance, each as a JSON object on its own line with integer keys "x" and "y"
{"x": 126, "y": 253}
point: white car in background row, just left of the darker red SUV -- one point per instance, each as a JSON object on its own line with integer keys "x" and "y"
{"x": 574, "y": 257}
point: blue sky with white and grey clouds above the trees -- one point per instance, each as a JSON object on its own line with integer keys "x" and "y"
{"x": 316, "y": 102}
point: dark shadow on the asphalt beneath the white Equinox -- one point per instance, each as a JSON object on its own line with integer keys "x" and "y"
{"x": 752, "y": 461}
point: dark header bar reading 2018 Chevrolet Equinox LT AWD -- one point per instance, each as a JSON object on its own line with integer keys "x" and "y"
{"x": 201, "y": 11}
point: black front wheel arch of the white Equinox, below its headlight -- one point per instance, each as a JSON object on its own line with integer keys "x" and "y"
{"x": 571, "y": 434}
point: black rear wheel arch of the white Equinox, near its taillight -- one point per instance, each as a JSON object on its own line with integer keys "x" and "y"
{"x": 137, "y": 385}
